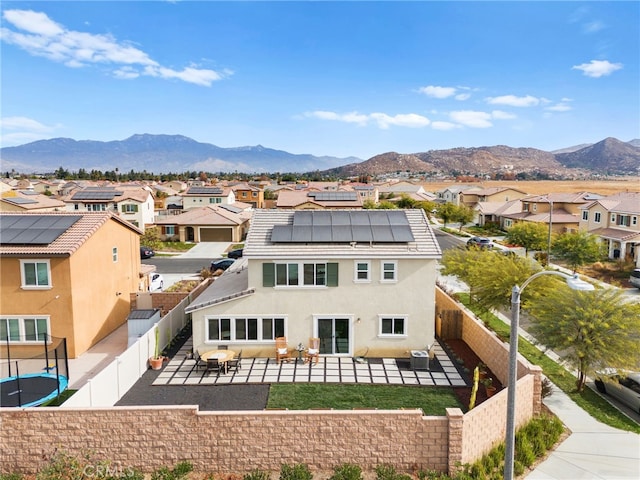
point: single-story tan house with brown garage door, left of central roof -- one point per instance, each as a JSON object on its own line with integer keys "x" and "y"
{"x": 213, "y": 223}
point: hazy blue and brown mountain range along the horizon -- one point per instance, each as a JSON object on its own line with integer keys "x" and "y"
{"x": 177, "y": 153}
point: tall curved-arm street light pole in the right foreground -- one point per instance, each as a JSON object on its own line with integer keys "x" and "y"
{"x": 510, "y": 439}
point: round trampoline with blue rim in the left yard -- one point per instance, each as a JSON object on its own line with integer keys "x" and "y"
{"x": 31, "y": 389}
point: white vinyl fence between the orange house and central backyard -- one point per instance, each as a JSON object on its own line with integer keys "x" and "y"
{"x": 108, "y": 386}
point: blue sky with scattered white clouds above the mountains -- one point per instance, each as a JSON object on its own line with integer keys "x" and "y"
{"x": 325, "y": 78}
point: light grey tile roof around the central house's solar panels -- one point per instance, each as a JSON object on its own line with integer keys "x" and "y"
{"x": 259, "y": 245}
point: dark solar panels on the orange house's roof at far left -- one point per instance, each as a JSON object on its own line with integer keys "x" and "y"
{"x": 34, "y": 229}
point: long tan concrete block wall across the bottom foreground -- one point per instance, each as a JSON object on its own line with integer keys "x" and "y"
{"x": 226, "y": 442}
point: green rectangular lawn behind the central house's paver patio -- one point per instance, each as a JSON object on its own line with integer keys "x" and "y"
{"x": 295, "y": 396}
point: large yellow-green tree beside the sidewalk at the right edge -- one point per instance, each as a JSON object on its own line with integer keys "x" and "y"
{"x": 594, "y": 329}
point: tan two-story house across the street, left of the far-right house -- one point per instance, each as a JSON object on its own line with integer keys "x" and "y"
{"x": 560, "y": 211}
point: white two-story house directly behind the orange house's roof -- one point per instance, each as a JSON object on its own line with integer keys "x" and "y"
{"x": 134, "y": 204}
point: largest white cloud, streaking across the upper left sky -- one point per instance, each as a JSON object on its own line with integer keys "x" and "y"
{"x": 40, "y": 36}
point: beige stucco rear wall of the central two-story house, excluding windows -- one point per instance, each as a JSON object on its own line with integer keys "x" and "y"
{"x": 412, "y": 296}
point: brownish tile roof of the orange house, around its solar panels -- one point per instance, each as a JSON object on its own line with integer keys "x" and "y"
{"x": 71, "y": 240}
